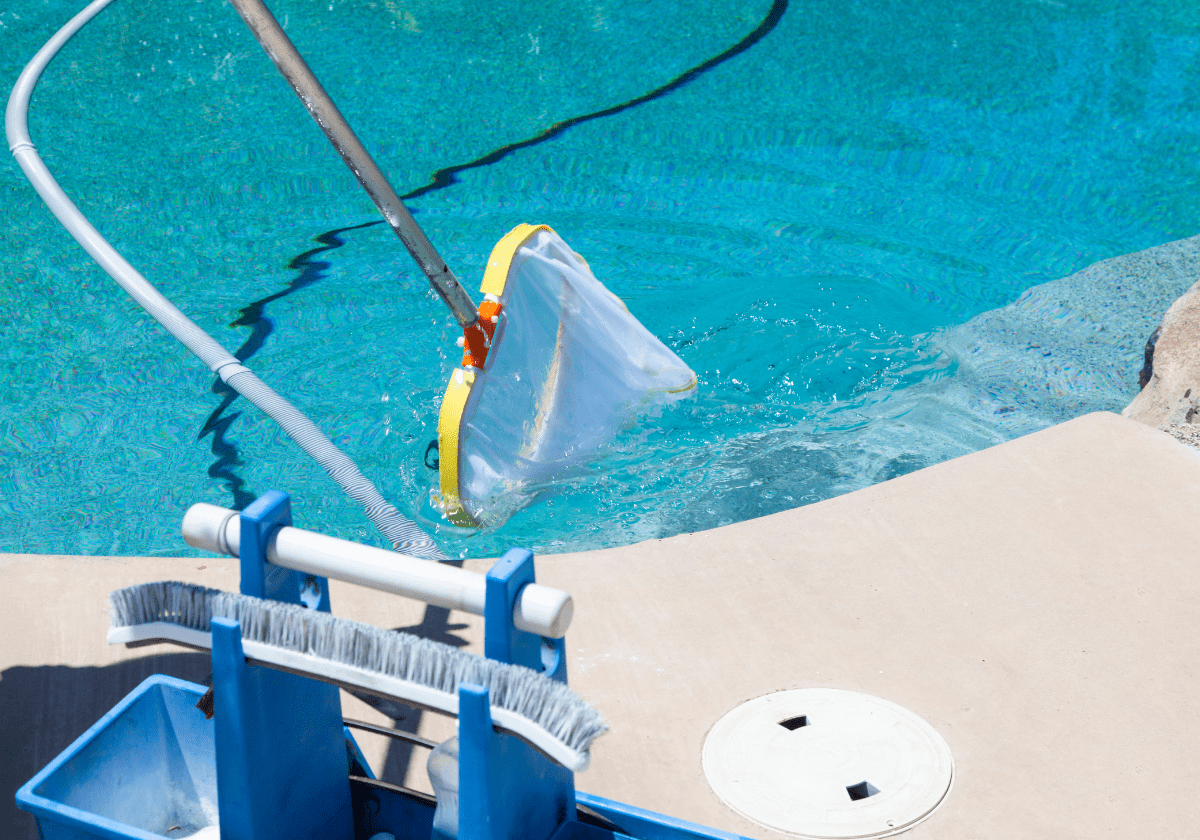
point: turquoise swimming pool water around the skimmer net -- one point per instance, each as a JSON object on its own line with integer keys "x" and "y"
{"x": 812, "y": 225}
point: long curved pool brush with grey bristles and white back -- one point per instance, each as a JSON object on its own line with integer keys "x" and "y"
{"x": 391, "y": 664}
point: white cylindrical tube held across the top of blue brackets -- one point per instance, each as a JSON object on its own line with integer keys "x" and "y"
{"x": 541, "y": 610}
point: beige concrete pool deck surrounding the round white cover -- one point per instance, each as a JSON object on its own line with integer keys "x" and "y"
{"x": 1035, "y": 603}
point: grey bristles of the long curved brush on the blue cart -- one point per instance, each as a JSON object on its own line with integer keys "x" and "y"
{"x": 532, "y": 695}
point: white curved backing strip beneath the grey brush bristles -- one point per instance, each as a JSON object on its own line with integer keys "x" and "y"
{"x": 349, "y": 676}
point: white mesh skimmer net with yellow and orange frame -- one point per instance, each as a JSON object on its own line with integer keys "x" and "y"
{"x": 568, "y": 367}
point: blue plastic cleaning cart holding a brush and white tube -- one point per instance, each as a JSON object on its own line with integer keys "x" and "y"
{"x": 267, "y": 755}
